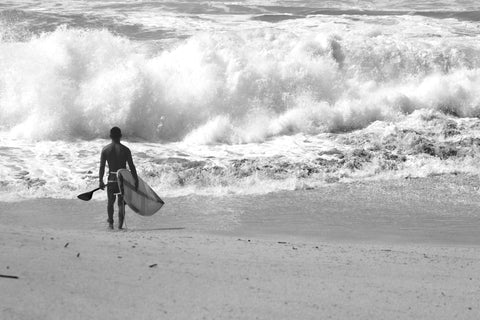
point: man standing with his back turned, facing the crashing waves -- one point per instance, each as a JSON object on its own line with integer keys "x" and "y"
{"x": 117, "y": 156}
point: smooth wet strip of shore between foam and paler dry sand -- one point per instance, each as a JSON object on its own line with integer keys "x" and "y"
{"x": 439, "y": 210}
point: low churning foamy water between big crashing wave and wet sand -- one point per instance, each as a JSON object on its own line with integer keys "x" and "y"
{"x": 425, "y": 143}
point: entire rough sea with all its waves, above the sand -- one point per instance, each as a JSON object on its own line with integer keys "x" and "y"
{"x": 237, "y": 97}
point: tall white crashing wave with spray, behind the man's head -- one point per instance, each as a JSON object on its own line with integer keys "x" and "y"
{"x": 232, "y": 87}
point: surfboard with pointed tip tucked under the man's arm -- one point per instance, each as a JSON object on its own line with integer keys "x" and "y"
{"x": 144, "y": 200}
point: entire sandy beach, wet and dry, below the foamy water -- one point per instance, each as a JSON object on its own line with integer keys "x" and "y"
{"x": 219, "y": 262}
